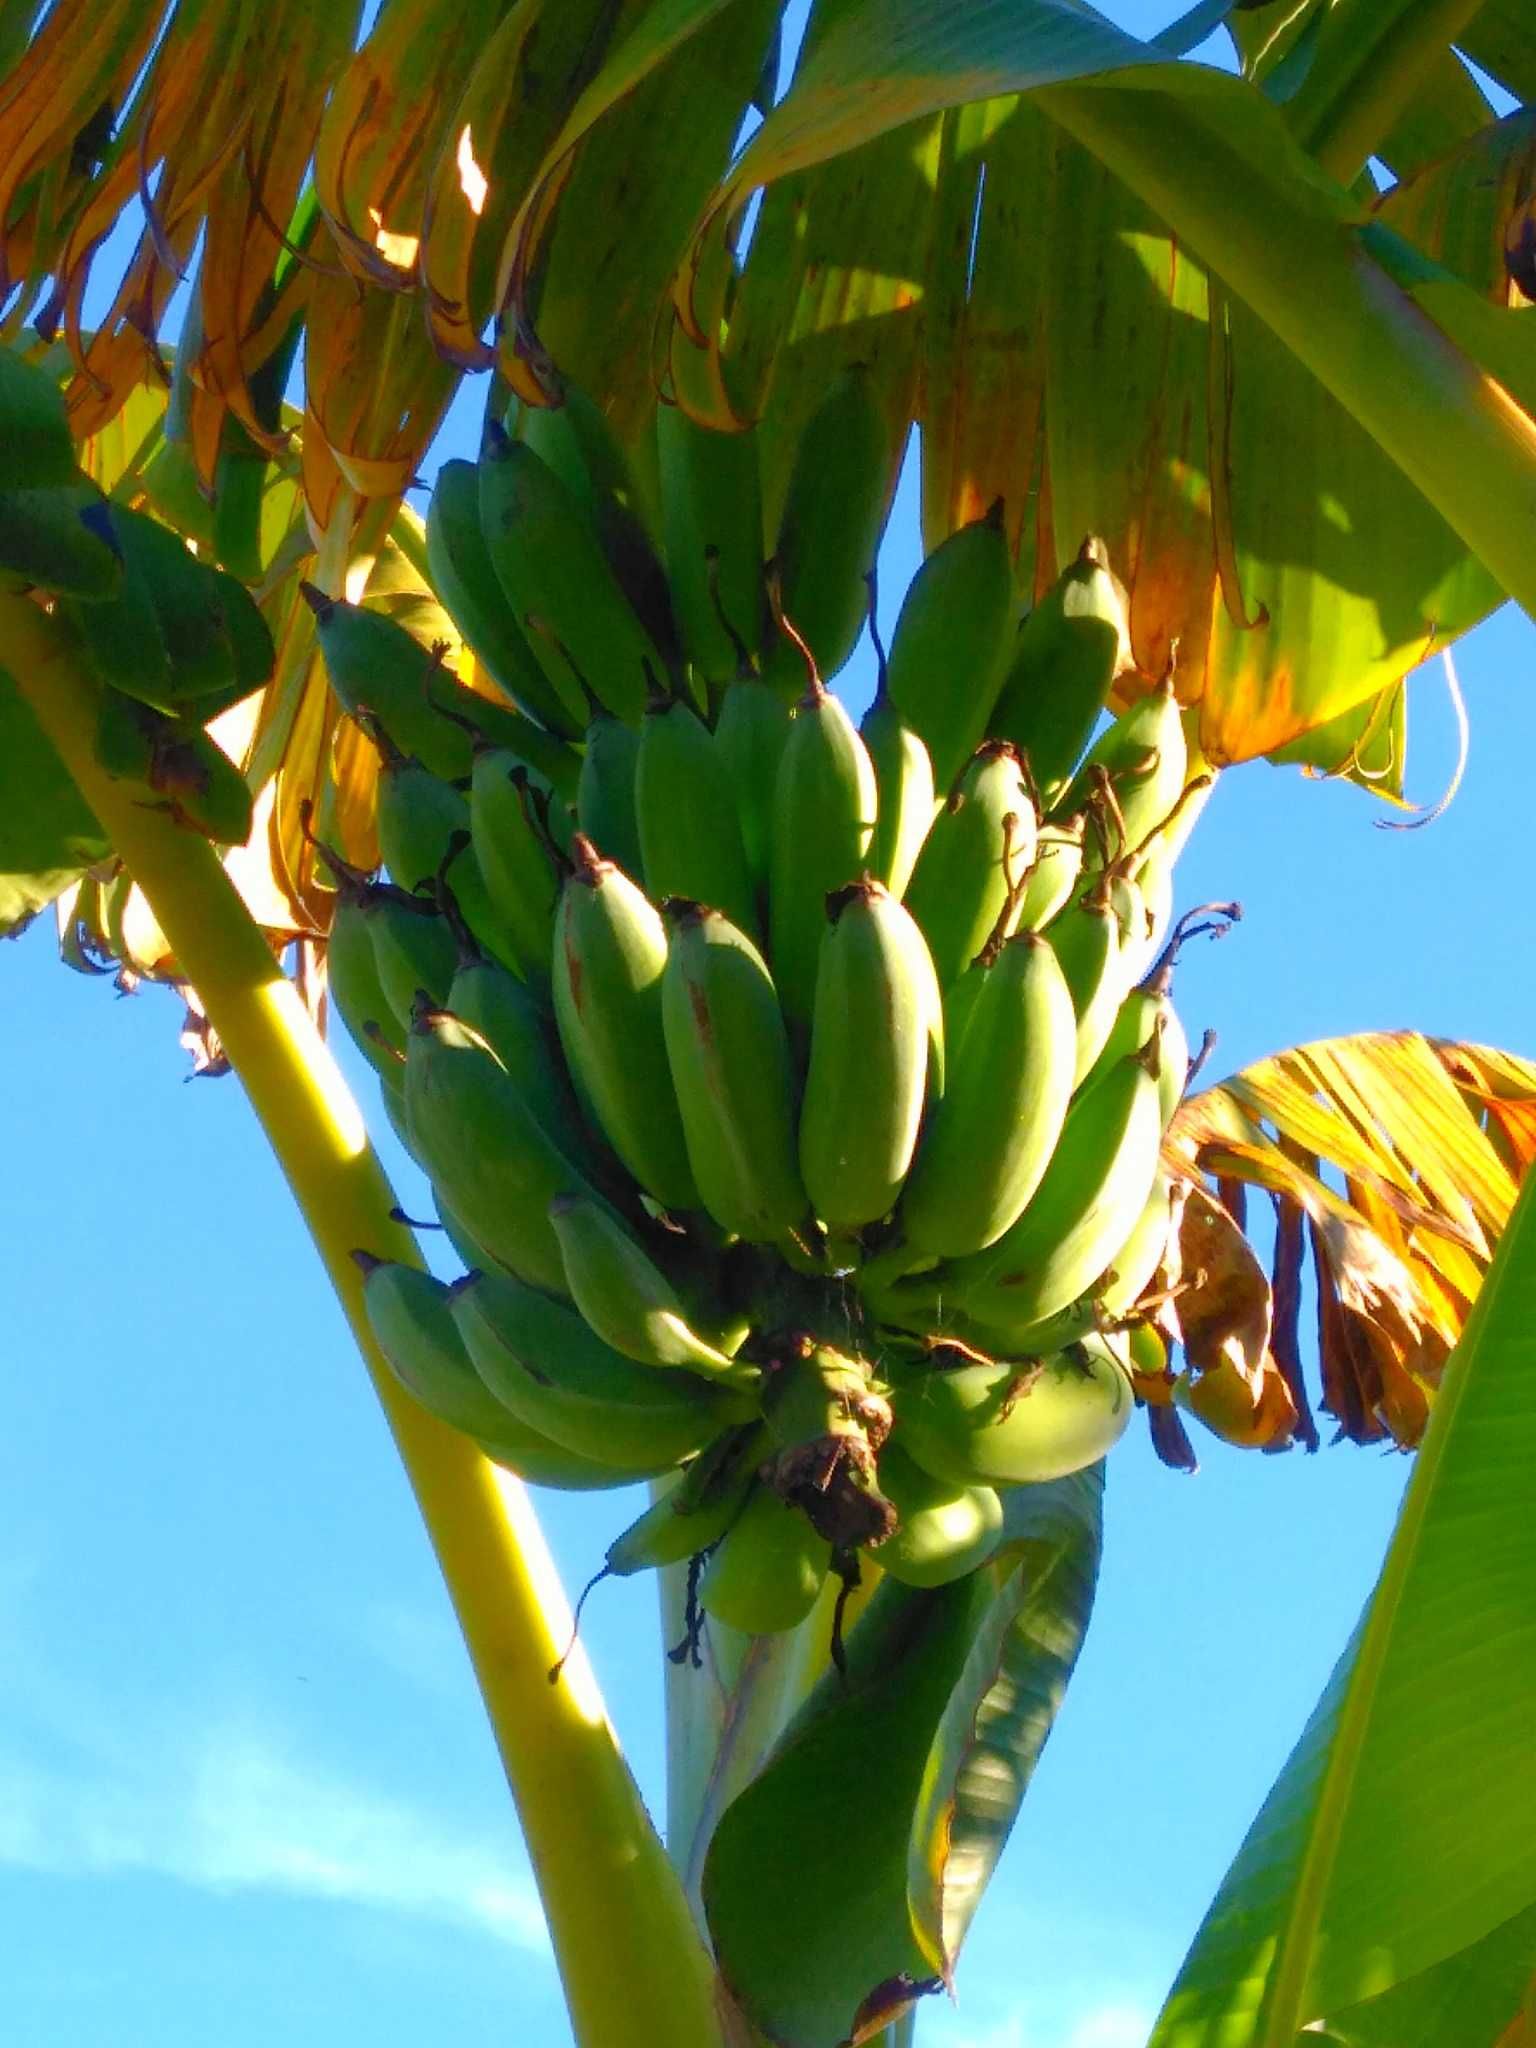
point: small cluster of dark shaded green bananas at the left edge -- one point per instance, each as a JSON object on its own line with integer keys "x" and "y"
{"x": 171, "y": 640}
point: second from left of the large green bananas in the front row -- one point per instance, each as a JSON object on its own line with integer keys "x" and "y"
{"x": 732, "y": 1074}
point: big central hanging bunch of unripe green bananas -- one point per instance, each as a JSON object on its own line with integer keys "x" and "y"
{"x": 794, "y": 1093}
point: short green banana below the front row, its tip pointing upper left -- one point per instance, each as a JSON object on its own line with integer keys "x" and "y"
{"x": 626, "y": 1295}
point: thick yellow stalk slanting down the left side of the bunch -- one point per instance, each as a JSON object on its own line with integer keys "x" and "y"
{"x": 632, "y": 1963}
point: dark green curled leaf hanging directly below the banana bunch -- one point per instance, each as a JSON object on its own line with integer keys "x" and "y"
{"x": 902, "y": 1785}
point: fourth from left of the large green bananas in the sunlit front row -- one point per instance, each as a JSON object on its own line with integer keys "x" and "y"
{"x": 1011, "y": 1080}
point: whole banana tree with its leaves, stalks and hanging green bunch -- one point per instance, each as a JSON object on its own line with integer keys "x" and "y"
{"x": 1101, "y": 282}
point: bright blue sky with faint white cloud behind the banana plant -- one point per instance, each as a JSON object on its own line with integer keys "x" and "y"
{"x": 247, "y": 1791}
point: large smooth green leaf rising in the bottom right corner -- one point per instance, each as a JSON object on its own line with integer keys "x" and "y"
{"x": 1400, "y": 1834}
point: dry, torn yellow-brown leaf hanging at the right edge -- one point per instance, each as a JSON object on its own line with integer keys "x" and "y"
{"x": 1394, "y": 1160}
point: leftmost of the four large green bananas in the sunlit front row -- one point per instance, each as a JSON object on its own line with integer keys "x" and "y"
{"x": 609, "y": 959}
